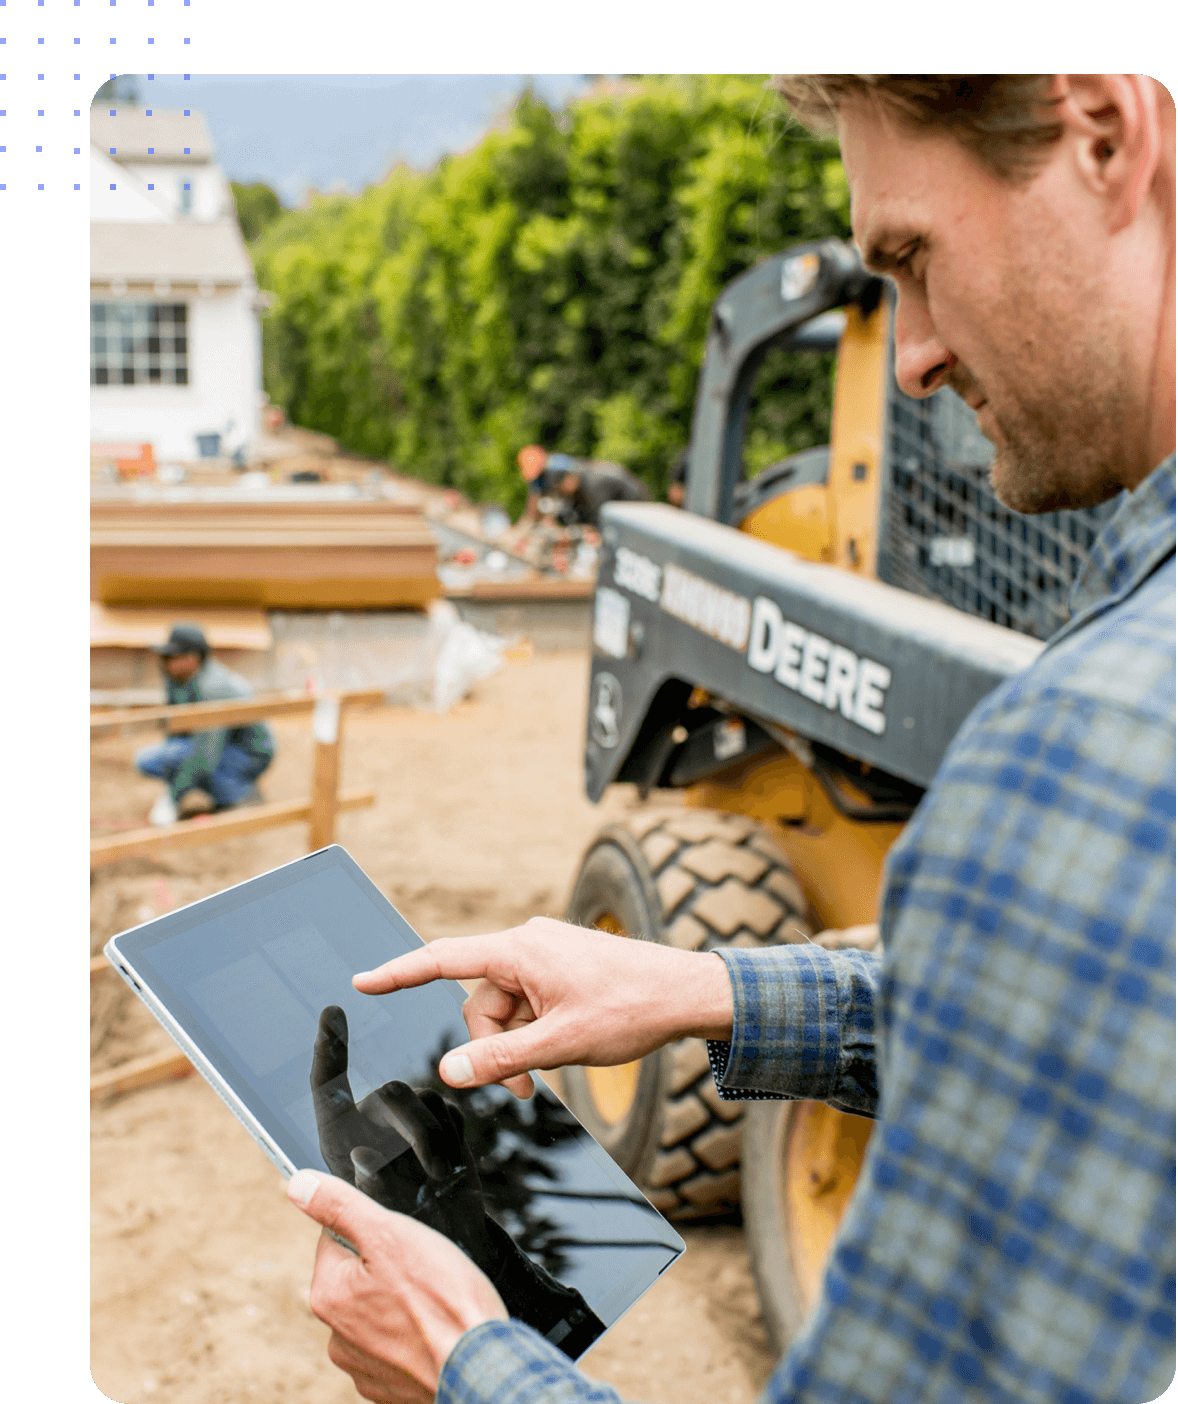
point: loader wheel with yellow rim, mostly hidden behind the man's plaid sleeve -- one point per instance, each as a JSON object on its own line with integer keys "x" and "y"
{"x": 800, "y": 1166}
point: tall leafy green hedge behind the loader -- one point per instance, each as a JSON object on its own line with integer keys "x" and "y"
{"x": 551, "y": 286}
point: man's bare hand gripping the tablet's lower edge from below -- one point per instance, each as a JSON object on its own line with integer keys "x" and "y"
{"x": 399, "y": 1309}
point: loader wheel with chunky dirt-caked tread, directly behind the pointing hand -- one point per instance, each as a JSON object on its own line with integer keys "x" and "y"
{"x": 697, "y": 880}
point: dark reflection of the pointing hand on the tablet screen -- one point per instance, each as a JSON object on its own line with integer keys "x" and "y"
{"x": 405, "y": 1151}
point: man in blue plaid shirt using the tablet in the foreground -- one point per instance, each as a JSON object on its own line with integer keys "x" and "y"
{"x": 1012, "y": 1236}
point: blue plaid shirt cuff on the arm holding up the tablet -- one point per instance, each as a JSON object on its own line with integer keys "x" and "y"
{"x": 508, "y": 1363}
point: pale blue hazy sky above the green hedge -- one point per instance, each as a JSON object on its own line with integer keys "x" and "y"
{"x": 343, "y": 131}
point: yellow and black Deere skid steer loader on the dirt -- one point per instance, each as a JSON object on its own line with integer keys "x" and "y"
{"x": 794, "y": 654}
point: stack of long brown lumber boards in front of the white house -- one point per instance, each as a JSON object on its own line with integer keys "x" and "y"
{"x": 270, "y": 552}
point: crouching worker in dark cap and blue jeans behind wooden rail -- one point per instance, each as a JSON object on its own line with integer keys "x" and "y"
{"x": 206, "y": 771}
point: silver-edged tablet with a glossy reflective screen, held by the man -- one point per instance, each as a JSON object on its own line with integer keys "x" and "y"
{"x": 255, "y": 986}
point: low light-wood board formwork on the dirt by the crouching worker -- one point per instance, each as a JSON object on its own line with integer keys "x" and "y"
{"x": 319, "y": 814}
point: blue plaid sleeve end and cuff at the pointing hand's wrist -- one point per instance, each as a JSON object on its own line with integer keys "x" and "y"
{"x": 802, "y": 1027}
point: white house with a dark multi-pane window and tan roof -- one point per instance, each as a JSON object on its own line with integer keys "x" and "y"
{"x": 175, "y": 331}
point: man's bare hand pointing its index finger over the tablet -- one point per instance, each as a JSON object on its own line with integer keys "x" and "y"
{"x": 554, "y": 996}
